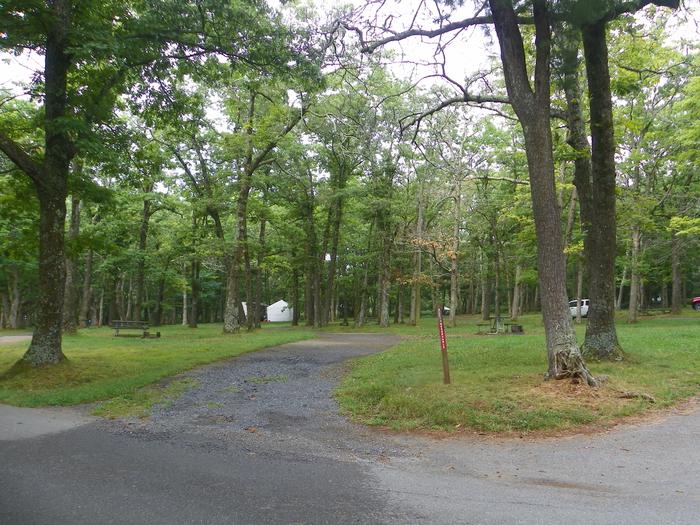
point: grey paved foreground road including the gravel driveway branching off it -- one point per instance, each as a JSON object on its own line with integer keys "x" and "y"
{"x": 259, "y": 440}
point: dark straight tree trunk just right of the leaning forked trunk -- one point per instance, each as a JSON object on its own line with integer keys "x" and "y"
{"x": 599, "y": 215}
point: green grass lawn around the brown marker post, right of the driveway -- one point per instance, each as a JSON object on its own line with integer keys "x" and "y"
{"x": 497, "y": 381}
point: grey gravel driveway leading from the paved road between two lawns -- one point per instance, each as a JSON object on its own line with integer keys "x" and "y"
{"x": 274, "y": 400}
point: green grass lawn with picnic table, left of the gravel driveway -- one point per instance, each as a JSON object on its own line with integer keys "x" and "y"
{"x": 101, "y": 366}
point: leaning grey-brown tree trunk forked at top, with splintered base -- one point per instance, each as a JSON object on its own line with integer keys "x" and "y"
{"x": 533, "y": 111}
